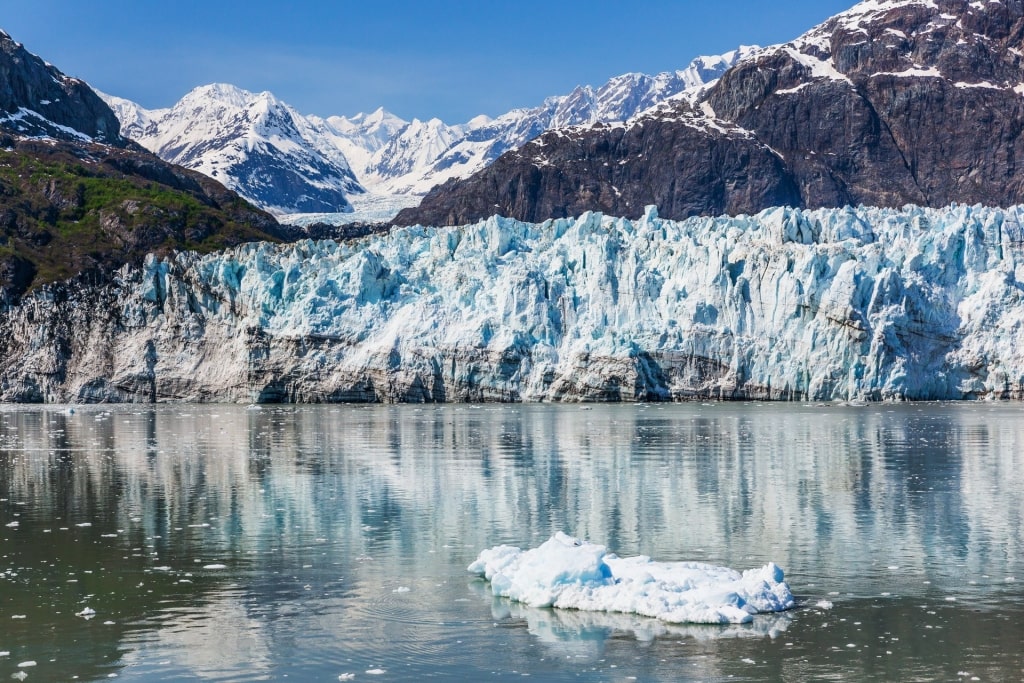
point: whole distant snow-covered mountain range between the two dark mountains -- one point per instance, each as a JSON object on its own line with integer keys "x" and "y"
{"x": 290, "y": 163}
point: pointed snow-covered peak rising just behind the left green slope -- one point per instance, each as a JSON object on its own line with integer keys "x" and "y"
{"x": 252, "y": 143}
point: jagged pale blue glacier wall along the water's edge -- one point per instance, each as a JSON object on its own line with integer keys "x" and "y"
{"x": 832, "y": 305}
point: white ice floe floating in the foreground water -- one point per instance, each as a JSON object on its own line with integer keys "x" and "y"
{"x": 571, "y": 574}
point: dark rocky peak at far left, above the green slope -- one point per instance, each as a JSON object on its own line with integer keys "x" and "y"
{"x": 37, "y": 100}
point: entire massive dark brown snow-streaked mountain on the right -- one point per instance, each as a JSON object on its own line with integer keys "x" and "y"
{"x": 891, "y": 103}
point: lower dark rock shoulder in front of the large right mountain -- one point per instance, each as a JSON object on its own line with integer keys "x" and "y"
{"x": 608, "y": 169}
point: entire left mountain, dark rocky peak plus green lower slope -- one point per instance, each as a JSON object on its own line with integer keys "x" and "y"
{"x": 76, "y": 197}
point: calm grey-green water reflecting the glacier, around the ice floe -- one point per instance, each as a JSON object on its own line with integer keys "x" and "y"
{"x": 226, "y": 544}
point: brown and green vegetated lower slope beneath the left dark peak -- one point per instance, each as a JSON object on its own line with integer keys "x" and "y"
{"x": 66, "y": 209}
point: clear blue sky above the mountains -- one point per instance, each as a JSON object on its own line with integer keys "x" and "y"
{"x": 451, "y": 60}
